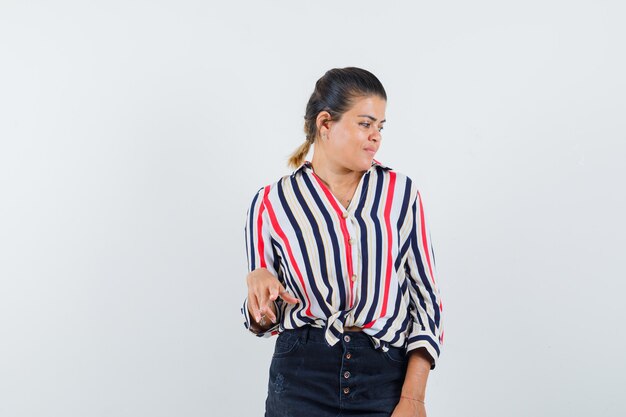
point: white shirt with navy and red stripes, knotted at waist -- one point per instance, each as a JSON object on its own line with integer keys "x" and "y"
{"x": 371, "y": 265}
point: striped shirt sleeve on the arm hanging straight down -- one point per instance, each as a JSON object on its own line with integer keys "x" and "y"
{"x": 425, "y": 301}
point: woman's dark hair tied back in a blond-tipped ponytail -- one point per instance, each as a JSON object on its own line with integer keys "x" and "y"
{"x": 335, "y": 93}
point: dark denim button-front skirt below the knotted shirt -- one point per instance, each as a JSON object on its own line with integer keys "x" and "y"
{"x": 310, "y": 378}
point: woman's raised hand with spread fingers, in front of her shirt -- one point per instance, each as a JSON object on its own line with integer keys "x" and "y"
{"x": 263, "y": 289}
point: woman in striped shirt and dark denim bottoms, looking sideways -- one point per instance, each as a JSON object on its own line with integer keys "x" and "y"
{"x": 341, "y": 267}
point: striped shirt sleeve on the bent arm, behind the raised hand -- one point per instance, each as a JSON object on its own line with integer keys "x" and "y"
{"x": 260, "y": 253}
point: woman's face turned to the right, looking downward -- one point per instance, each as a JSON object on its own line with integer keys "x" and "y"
{"x": 353, "y": 141}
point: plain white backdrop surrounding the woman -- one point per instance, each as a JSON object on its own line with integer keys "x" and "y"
{"x": 133, "y": 135}
